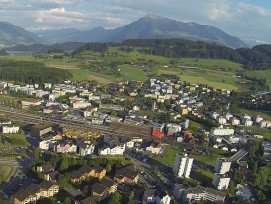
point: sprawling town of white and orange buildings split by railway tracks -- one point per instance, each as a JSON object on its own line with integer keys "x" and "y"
{"x": 161, "y": 141}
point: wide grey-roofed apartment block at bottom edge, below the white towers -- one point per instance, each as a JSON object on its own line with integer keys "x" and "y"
{"x": 201, "y": 193}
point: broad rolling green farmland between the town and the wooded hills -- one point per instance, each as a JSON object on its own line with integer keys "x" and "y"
{"x": 90, "y": 65}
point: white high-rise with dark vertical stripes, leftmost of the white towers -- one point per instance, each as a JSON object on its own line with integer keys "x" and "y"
{"x": 183, "y": 165}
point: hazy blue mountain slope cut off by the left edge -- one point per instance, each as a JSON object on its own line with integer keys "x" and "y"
{"x": 13, "y": 35}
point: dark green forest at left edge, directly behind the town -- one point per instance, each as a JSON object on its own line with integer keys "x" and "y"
{"x": 31, "y": 72}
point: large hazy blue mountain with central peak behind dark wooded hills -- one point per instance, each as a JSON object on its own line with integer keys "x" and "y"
{"x": 148, "y": 27}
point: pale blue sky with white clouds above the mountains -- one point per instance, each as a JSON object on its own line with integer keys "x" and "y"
{"x": 241, "y": 18}
